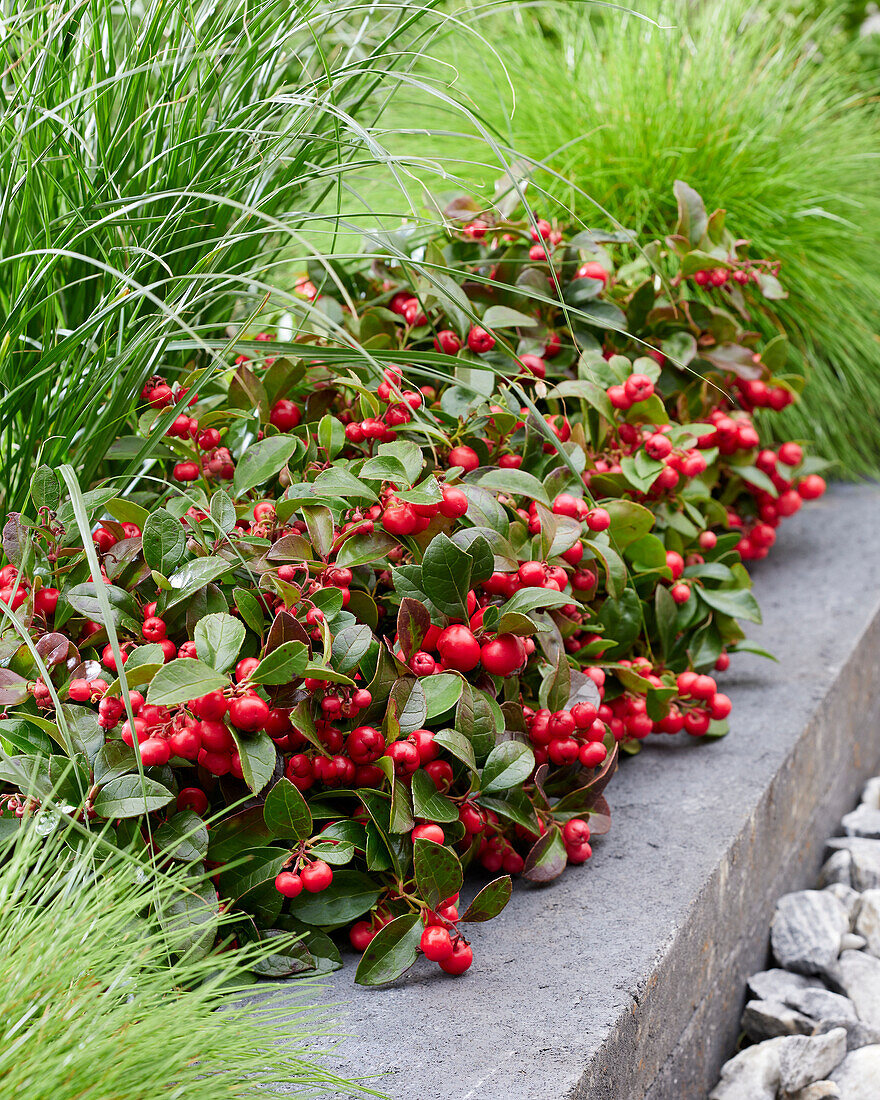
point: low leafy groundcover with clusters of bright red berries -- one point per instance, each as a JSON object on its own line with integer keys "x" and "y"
{"x": 389, "y": 599}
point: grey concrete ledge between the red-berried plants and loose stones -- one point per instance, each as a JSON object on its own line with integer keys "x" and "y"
{"x": 624, "y": 981}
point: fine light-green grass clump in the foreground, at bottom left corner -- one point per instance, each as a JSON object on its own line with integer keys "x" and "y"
{"x": 95, "y": 1003}
